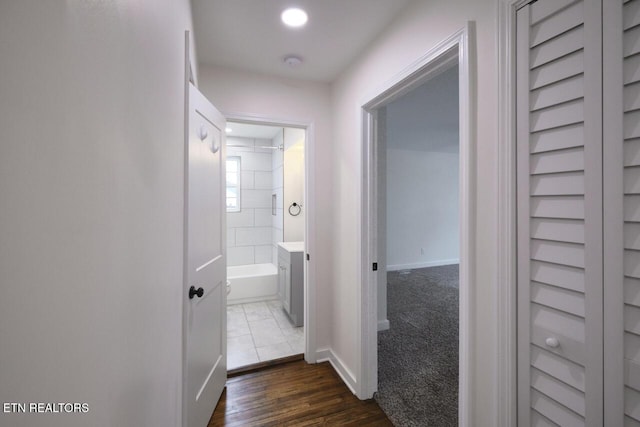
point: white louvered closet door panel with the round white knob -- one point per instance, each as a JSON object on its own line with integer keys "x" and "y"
{"x": 559, "y": 208}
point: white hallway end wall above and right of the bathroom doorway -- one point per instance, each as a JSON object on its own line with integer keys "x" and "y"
{"x": 261, "y": 96}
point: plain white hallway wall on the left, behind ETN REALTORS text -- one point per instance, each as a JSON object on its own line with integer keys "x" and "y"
{"x": 91, "y": 224}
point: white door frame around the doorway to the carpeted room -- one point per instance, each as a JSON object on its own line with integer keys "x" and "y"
{"x": 457, "y": 47}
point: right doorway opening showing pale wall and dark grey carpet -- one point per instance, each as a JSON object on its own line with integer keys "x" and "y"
{"x": 418, "y": 231}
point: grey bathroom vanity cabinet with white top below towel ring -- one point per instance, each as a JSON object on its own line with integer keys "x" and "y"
{"x": 291, "y": 279}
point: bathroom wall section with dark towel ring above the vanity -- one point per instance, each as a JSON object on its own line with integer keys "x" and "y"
{"x": 294, "y": 184}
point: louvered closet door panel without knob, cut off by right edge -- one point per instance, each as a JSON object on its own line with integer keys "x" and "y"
{"x": 626, "y": 160}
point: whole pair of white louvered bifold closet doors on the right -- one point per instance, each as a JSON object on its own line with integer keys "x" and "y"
{"x": 579, "y": 194}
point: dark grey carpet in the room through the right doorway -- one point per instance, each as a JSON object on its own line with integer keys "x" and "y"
{"x": 418, "y": 356}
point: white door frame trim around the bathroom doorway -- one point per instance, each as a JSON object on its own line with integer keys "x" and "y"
{"x": 310, "y": 215}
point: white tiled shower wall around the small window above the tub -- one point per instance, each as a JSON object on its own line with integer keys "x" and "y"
{"x": 250, "y": 231}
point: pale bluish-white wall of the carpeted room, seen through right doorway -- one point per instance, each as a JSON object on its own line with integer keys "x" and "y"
{"x": 422, "y": 175}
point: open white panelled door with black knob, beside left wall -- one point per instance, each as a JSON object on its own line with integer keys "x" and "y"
{"x": 205, "y": 261}
